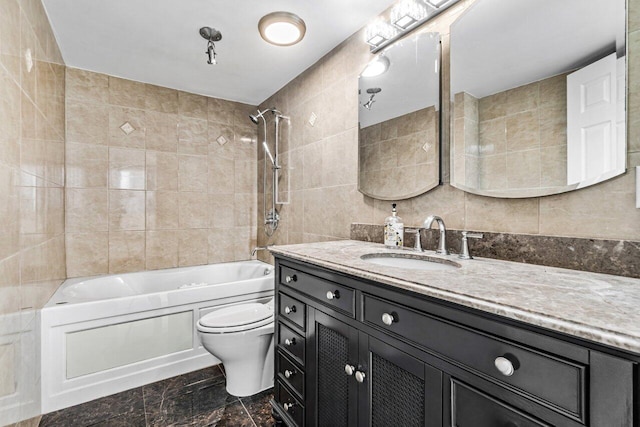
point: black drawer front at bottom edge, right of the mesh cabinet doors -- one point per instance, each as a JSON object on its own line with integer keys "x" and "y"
{"x": 472, "y": 408}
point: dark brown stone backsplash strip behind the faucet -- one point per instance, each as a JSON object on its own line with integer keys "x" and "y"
{"x": 618, "y": 257}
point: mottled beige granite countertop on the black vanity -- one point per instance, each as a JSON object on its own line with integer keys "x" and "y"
{"x": 597, "y": 307}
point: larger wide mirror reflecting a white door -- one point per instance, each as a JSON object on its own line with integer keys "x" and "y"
{"x": 538, "y": 96}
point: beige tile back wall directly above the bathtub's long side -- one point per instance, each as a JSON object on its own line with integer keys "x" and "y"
{"x": 167, "y": 194}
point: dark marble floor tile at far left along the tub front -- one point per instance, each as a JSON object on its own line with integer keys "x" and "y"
{"x": 96, "y": 411}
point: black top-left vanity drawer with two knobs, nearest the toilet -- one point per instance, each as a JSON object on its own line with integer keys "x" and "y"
{"x": 332, "y": 294}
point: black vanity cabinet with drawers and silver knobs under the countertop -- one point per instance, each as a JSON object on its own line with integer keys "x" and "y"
{"x": 353, "y": 352}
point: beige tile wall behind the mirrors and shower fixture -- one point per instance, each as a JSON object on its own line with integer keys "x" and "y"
{"x": 323, "y": 209}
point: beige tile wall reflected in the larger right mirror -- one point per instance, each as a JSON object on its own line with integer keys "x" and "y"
{"x": 514, "y": 140}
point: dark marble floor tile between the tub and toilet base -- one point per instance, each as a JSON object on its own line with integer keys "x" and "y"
{"x": 181, "y": 384}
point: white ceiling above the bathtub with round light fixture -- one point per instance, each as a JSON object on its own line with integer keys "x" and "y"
{"x": 157, "y": 41}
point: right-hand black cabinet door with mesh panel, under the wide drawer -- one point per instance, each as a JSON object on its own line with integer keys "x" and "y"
{"x": 399, "y": 389}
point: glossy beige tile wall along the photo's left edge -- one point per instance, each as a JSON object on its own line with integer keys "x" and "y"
{"x": 32, "y": 255}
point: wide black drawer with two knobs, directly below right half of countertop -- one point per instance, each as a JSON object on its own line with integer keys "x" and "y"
{"x": 558, "y": 382}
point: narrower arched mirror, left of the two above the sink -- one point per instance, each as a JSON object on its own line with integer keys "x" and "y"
{"x": 399, "y": 117}
